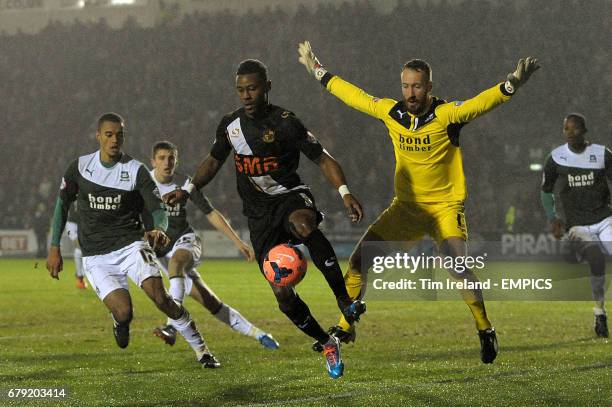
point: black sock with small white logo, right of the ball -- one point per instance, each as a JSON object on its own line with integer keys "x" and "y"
{"x": 324, "y": 257}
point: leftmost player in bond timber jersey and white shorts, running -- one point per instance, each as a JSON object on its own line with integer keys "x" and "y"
{"x": 109, "y": 187}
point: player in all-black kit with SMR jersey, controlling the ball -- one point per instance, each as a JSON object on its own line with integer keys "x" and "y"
{"x": 266, "y": 141}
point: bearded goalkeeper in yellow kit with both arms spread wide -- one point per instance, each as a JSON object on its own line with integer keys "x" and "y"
{"x": 429, "y": 181}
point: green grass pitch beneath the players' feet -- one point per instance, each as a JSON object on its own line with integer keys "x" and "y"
{"x": 407, "y": 353}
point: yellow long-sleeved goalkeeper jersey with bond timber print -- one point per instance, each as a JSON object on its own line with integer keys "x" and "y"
{"x": 428, "y": 164}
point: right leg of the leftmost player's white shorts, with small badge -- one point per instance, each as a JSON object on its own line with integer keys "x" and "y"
{"x": 140, "y": 263}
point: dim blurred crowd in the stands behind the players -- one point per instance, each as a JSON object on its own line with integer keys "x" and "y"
{"x": 176, "y": 80}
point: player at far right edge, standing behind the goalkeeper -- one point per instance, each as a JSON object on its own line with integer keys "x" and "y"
{"x": 582, "y": 170}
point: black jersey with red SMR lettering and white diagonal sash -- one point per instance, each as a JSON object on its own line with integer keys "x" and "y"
{"x": 266, "y": 154}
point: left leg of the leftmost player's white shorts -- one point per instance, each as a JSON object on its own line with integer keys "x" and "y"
{"x": 104, "y": 273}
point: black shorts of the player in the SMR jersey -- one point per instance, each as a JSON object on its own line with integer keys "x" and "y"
{"x": 273, "y": 228}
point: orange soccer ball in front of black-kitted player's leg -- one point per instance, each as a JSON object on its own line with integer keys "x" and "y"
{"x": 285, "y": 265}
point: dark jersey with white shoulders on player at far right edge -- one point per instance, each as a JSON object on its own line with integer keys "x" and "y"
{"x": 583, "y": 188}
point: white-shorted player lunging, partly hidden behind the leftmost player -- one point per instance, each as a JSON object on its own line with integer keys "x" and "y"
{"x": 182, "y": 255}
